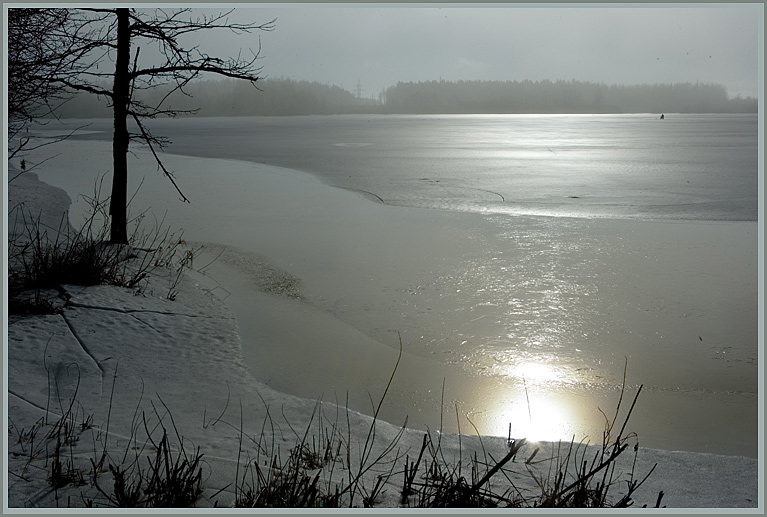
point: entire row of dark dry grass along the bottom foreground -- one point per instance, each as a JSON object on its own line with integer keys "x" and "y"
{"x": 326, "y": 467}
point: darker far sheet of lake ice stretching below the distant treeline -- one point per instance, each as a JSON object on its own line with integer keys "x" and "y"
{"x": 686, "y": 167}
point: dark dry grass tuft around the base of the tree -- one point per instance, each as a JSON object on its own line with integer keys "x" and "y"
{"x": 43, "y": 259}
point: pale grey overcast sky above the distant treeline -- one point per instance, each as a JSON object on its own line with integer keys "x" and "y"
{"x": 380, "y": 45}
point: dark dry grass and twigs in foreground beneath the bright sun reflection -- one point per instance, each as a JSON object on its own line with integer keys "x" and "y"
{"x": 310, "y": 475}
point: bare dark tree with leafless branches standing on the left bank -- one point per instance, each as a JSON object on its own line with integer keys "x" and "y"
{"x": 115, "y": 38}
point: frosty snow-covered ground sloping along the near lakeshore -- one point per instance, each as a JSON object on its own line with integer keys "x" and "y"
{"x": 125, "y": 383}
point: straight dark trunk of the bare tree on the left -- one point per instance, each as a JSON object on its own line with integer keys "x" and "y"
{"x": 118, "y": 209}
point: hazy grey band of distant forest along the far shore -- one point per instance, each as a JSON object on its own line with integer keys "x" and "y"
{"x": 290, "y": 97}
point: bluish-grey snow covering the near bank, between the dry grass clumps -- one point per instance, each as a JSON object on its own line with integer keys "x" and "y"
{"x": 120, "y": 362}
